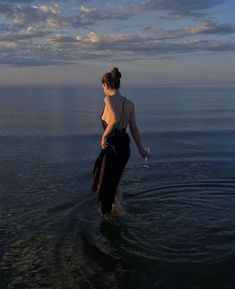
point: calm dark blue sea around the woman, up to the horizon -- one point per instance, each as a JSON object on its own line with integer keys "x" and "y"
{"x": 180, "y": 232}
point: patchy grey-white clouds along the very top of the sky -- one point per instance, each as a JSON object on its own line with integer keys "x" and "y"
{"x": 59, "y": 15}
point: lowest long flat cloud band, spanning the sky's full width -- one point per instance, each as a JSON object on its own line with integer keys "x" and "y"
{"x": 67, "y": 49}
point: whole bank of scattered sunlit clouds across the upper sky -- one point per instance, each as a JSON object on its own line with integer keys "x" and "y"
{"x": 53, "y": 32}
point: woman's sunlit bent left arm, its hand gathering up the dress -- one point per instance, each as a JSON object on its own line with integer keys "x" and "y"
{"x": 112, "y": 117}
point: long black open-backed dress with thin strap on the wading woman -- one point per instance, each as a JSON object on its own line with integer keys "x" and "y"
{"x": 110, "y": 164}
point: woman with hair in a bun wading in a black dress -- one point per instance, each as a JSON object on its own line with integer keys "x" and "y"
{"x": 118, "y": 113}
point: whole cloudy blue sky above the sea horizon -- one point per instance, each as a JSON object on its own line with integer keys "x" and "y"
{"x": 68, "y": 42}
